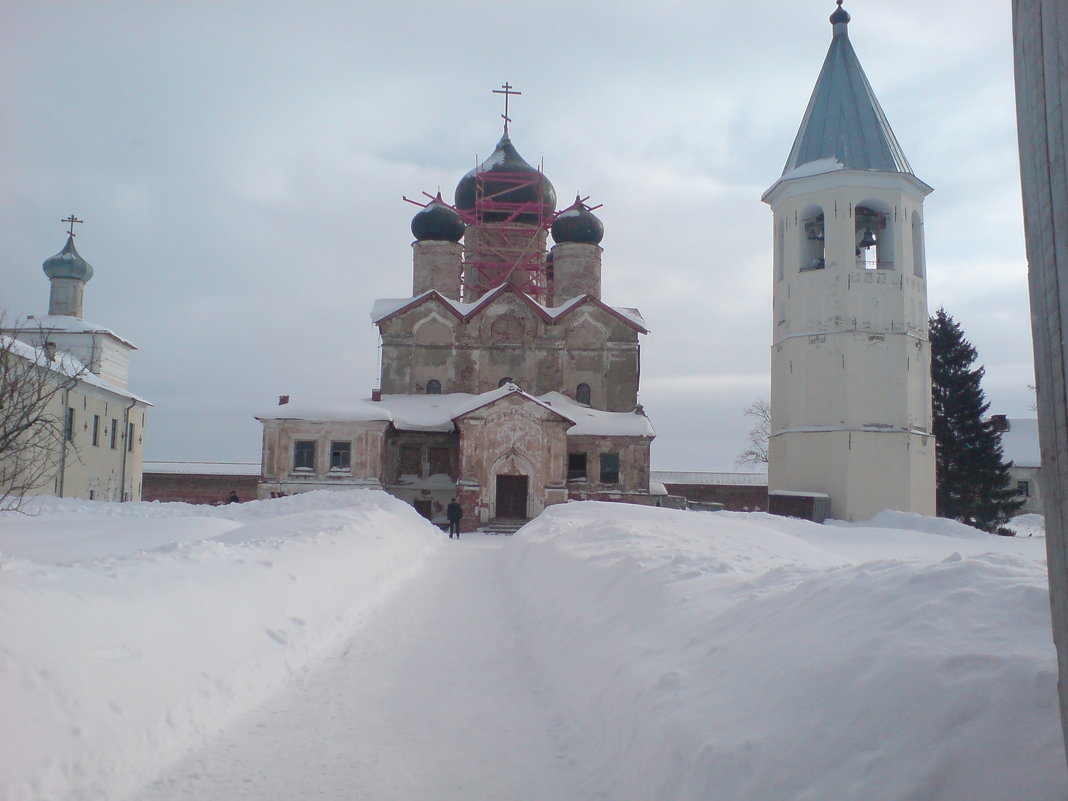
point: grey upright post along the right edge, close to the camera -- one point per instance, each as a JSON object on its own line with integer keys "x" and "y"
{"x": 1041, "y": 37}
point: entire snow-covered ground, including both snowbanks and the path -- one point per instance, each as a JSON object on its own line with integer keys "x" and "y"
{"x": 335, "y": 646}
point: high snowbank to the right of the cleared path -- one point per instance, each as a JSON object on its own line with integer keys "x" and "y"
{"x": 749, "y": 657}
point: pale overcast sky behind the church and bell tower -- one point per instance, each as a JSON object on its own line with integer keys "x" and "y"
{"x": 241, "y": 169}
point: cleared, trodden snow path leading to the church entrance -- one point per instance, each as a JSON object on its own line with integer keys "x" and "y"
{"x": 432, "y": 700}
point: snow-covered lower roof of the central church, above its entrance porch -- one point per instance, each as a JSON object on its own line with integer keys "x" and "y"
{"x": 437, "y": 413}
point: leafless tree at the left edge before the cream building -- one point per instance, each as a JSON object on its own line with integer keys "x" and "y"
{"x": 35, "y": 441}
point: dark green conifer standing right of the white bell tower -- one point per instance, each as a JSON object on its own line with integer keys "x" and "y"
{"x": 973, "y": 483}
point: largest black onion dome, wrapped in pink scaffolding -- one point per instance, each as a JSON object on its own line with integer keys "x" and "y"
{"x": 507, "y": 161}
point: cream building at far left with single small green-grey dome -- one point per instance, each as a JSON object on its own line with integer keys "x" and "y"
{"x": 101, "y": 453}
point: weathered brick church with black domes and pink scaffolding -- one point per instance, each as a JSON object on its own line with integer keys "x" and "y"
{"x": 507, "y": 382}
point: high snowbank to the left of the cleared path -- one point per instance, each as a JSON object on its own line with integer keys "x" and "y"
{"x": 130, "y": 632}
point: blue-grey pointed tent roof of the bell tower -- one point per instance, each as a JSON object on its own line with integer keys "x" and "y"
{"x": 844, "y": 127}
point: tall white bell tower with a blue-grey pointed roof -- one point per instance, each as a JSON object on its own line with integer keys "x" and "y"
{"x": 851, "y": 363}
